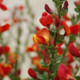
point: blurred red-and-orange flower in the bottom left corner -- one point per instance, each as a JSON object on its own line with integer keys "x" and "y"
{"x": 5, "y": 69}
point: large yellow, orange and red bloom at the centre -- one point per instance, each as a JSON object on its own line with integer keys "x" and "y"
{"x": 42, "y": 37}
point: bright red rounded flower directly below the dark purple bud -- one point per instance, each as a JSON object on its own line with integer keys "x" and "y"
{"x": 46, "y": 19}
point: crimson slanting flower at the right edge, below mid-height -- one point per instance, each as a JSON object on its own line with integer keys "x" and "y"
{"x": 74, "y": 50}
